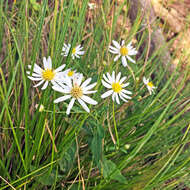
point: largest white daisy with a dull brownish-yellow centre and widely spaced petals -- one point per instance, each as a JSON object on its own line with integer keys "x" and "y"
{"x": 76, "y": 91}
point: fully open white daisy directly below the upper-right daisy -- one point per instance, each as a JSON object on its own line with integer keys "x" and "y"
{"x": 116, "y": 86}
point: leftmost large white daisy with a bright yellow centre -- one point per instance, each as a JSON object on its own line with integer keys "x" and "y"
{"x": 45, "y": 75}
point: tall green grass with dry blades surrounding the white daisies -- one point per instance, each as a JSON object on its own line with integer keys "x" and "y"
{"x": 142, "y": 144}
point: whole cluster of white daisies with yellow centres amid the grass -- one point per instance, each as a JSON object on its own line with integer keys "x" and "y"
{"x": 71, "y": 84}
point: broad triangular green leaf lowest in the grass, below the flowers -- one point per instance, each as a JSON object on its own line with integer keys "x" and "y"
{"x": 110, "y": 171}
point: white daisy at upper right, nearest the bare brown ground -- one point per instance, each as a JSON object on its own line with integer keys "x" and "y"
{"x": 123, "y": 51}
